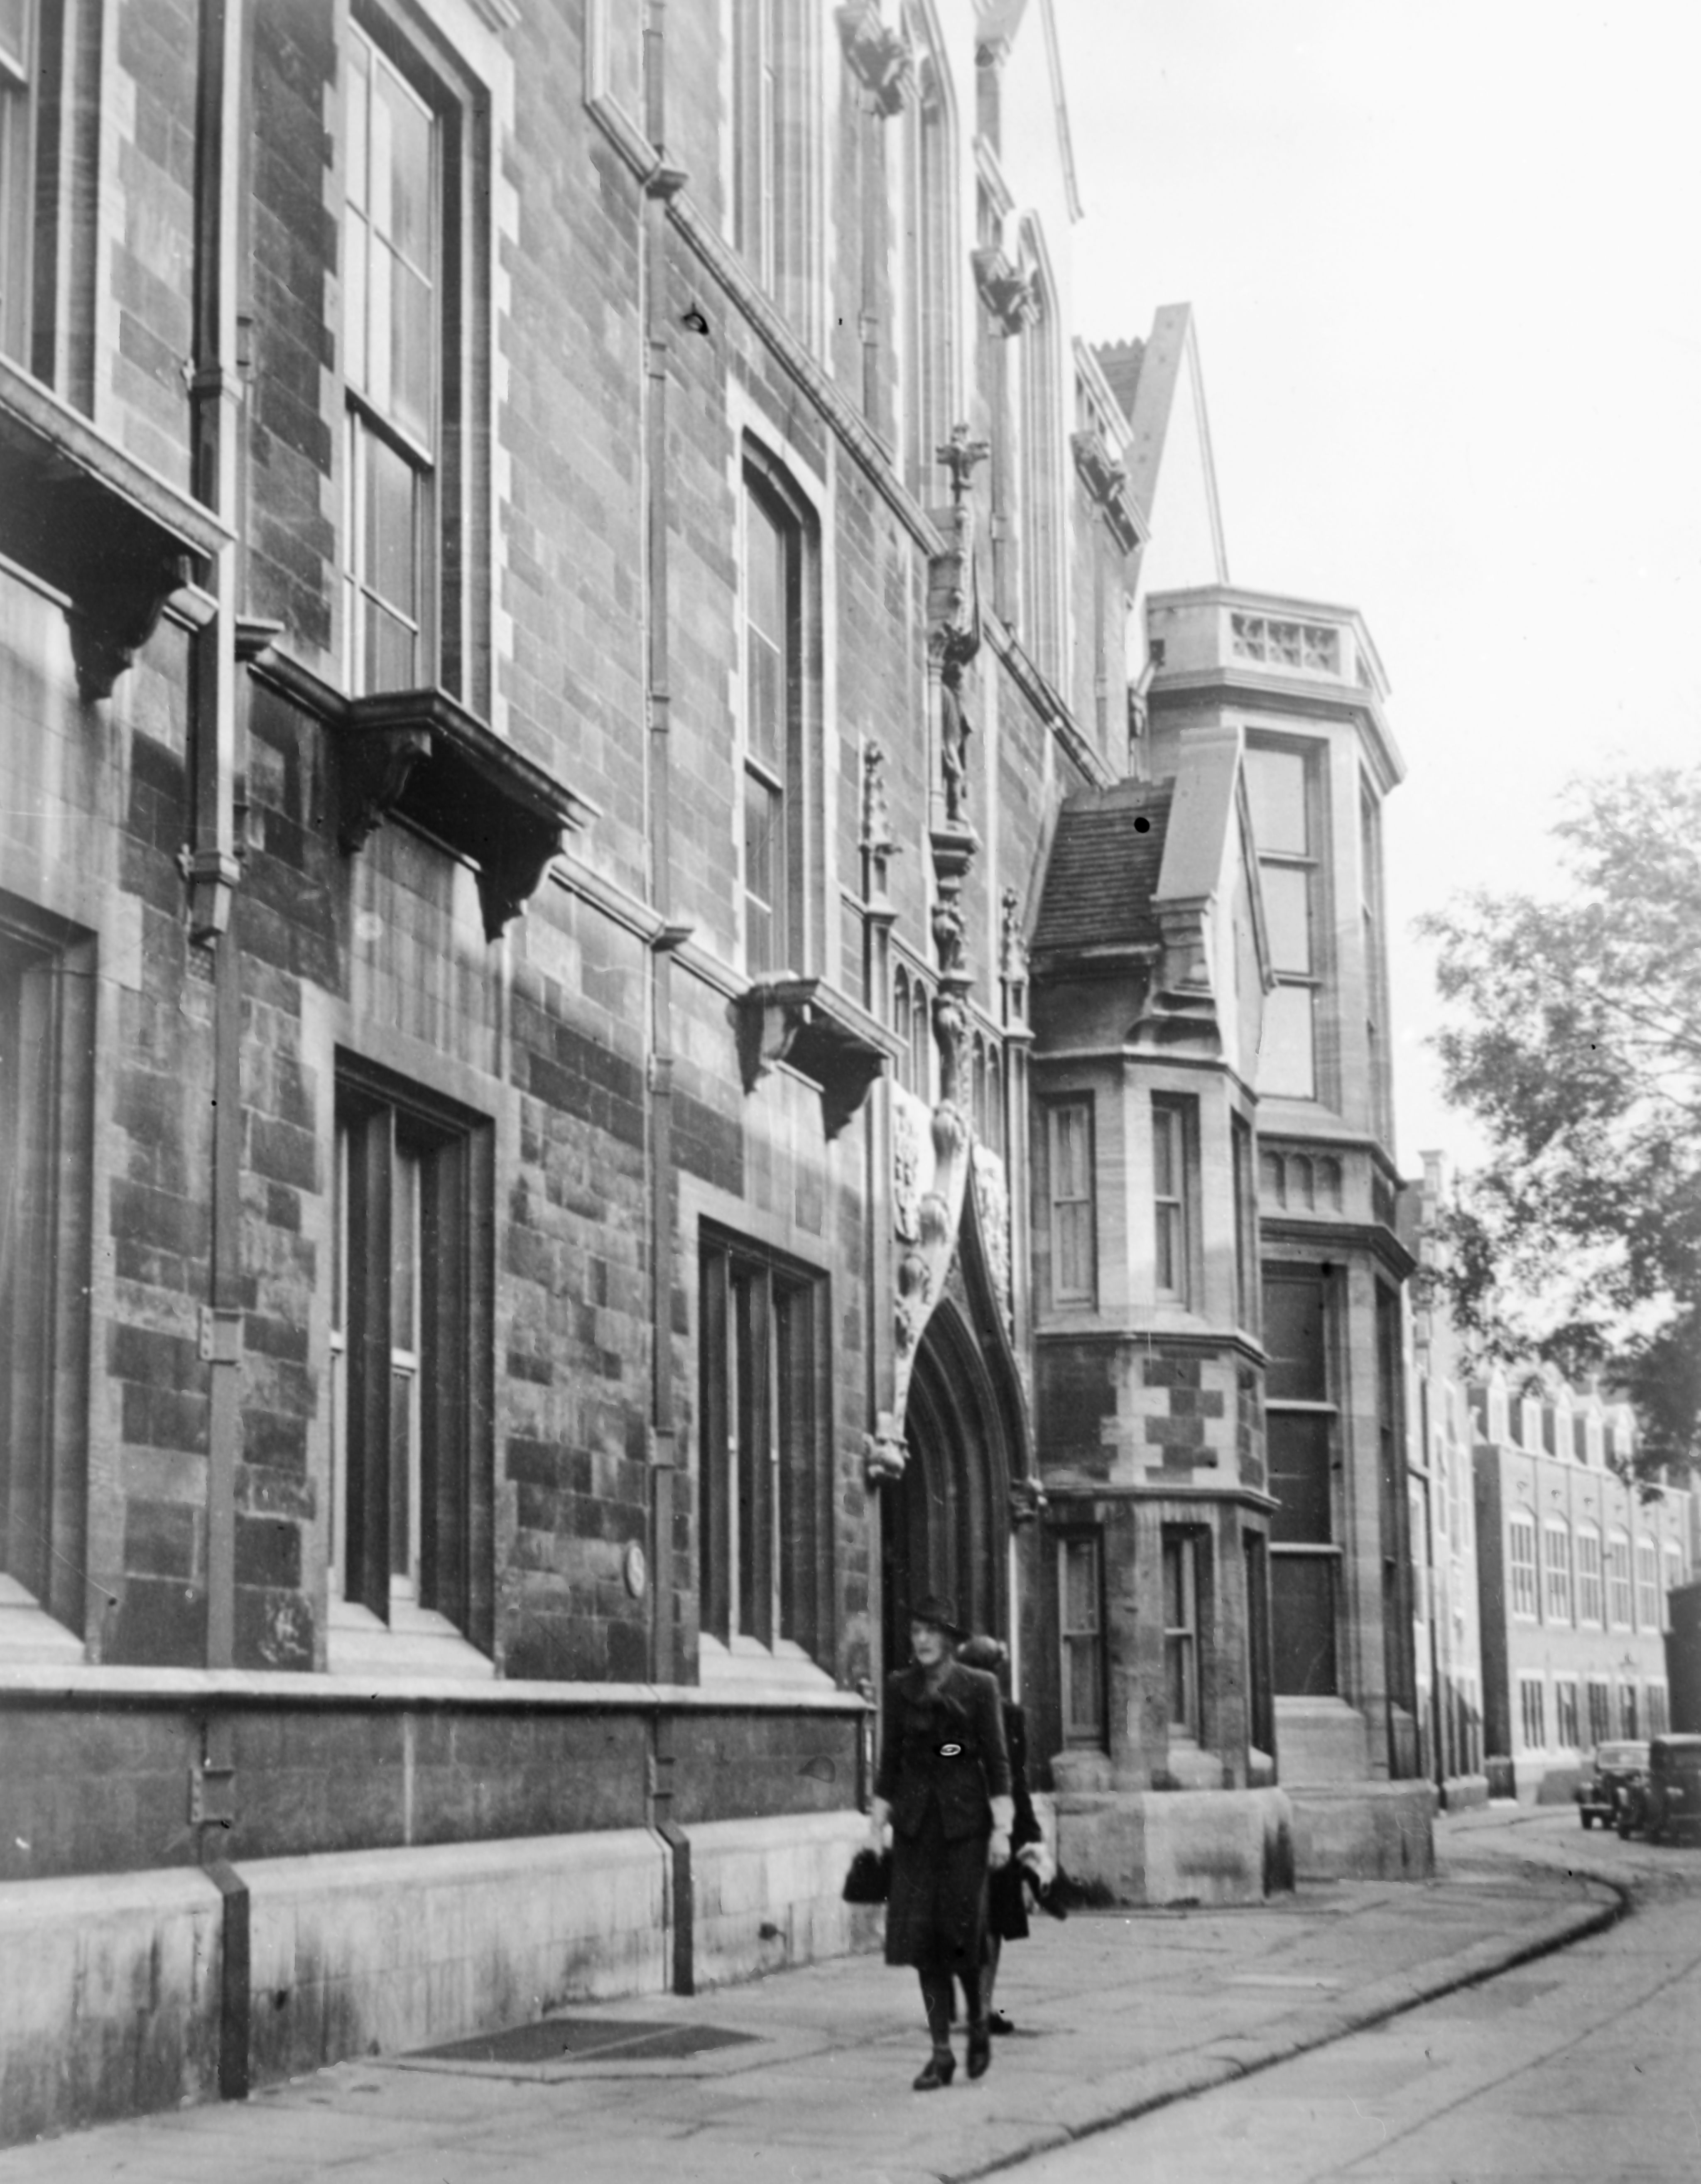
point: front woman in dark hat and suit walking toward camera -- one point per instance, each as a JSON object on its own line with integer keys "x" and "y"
{"x": 944, "y": 1785}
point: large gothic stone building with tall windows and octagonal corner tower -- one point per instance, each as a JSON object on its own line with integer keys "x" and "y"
{"x": 569, "y": 613}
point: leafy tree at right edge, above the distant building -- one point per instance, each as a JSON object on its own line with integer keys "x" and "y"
{"x": 1578, "y": 1047}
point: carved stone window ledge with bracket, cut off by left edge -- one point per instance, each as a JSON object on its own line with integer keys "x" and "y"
{"x": 95, "y": 525}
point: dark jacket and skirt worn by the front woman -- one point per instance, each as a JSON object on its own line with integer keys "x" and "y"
{"x": 942, "y": 1764}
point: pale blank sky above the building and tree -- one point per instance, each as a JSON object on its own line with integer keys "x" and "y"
{"x": 1449, "y": 302}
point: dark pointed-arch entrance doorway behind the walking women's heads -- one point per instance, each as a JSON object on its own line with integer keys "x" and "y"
{"x": 947, "y": 1521}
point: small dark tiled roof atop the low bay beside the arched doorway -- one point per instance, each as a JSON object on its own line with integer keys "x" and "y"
{"x": 1104, "y": 870}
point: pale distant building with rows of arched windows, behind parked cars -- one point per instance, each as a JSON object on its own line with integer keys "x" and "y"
{"x": 1575, "y": 1569}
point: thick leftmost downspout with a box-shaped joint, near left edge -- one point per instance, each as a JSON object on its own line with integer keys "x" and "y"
{"x": 213, "y": 875}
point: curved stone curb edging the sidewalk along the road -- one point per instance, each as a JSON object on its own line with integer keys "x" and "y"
{"x": 1137, "y": 2093}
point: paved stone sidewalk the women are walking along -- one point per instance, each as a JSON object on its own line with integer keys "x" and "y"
{"x": 1117, "y": 2015}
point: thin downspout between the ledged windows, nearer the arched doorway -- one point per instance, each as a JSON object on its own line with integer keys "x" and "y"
{"x": 661, "y": 185}
